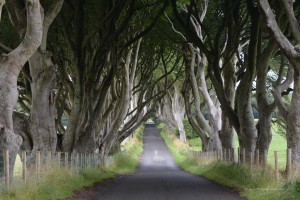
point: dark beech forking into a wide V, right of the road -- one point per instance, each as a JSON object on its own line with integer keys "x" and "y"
{"x": 212, "y": 44}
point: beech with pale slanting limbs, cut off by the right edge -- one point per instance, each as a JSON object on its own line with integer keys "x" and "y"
{"x": 290, "y": 47}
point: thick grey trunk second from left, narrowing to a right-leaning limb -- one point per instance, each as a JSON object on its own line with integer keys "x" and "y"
{"x": 42, "y": 70}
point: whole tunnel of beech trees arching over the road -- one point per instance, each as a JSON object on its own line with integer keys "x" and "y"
{"x": 81, "y": 76}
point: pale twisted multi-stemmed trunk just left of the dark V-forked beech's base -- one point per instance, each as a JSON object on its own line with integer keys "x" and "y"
{"x": 208, "y": 132}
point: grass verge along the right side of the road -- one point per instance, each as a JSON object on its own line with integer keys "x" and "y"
{"x": 253, "y": 183}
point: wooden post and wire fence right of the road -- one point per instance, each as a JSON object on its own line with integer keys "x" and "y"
{"x": 280, "y": 161}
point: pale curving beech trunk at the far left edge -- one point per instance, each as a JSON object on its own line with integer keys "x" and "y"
{"x": 10, "y": 67}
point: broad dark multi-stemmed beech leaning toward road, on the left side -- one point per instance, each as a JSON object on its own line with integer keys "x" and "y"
{"x": 120, "y": 26}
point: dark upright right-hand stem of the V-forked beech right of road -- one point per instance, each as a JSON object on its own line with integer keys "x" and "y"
{"x": 248, "y": 131}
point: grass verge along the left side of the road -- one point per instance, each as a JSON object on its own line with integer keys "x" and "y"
{"x": 60, "y": 183}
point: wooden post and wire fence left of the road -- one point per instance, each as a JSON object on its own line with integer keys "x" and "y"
{"x": 32, "y": 166}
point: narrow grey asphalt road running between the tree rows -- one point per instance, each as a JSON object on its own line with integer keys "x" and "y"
{"x": 159, "y": 178}
